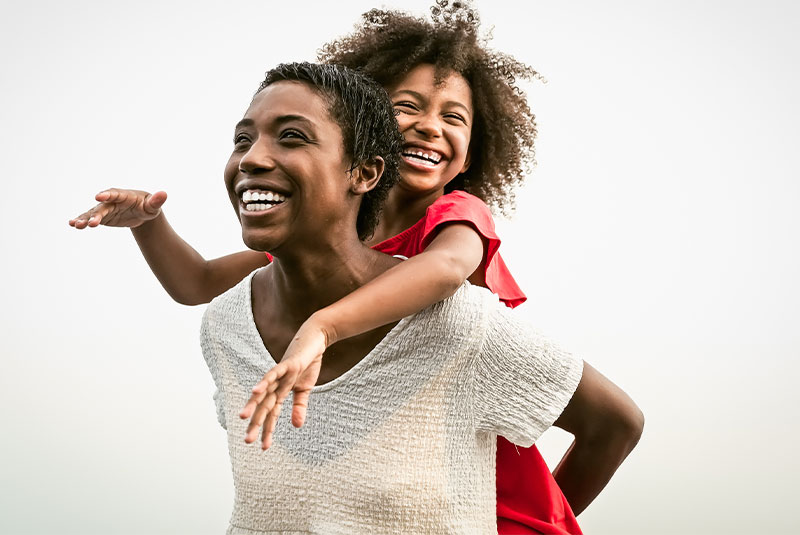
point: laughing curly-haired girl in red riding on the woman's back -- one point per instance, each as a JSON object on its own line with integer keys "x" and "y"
{"x": 468, "y": 141}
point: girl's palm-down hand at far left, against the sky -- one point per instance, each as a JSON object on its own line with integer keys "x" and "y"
{"x": 121, "y": 208}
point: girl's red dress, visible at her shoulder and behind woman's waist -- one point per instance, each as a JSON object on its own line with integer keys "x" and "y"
{"x": 528, "y": 498}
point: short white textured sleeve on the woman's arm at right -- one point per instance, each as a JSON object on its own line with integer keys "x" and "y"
{"x": 522, "y": 380}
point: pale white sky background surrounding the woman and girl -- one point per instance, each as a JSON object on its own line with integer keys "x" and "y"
{"x": 657, "y": 238}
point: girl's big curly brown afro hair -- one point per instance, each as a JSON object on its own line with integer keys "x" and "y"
{"x": 388, "y": 44}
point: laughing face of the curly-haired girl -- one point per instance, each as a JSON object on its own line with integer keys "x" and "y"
{"x": 436, "y": 123}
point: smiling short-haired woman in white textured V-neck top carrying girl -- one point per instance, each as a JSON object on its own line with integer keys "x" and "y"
{"x": 406, "y": 416}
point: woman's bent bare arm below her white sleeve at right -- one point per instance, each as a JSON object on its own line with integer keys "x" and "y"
{"x": 607, "y": 425}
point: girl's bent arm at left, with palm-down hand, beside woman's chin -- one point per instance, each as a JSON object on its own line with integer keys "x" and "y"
{"x": 187, "y": 277}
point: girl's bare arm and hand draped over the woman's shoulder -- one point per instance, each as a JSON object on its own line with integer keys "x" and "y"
{"x": 413, "y": 285}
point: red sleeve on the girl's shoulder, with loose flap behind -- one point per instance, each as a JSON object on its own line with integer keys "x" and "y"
{"x": 461, "y": 207}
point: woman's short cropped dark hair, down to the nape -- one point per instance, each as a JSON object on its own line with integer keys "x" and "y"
{"x": 363, "y": 111}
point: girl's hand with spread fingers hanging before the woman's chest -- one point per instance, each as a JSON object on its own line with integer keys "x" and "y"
{"x": 297, "y": 372}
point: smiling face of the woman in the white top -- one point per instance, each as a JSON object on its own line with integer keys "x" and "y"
{"x": 288, "y": 174}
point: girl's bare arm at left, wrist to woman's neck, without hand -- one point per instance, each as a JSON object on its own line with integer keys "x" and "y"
{"x": 187, "y": 277}
